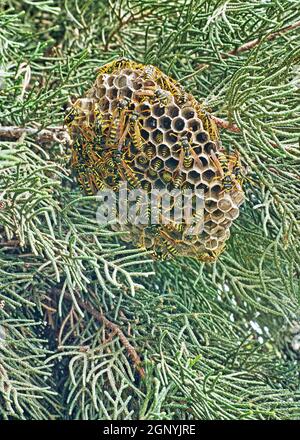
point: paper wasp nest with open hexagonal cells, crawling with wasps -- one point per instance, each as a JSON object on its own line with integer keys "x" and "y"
{"x": 138, "y": 125}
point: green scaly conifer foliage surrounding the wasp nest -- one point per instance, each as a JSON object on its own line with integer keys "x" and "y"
{"x": 216, "y": 341}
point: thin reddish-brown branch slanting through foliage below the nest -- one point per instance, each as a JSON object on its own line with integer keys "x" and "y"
{"x": 132, "y": 353}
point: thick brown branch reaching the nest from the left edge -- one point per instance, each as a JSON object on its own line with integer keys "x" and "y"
{"x": 51, "y": 134}
